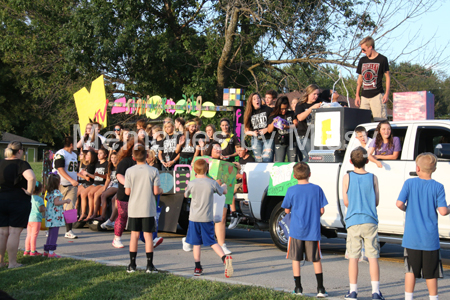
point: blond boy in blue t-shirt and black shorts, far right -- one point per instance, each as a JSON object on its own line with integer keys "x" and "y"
{"x": 420, "y": 197}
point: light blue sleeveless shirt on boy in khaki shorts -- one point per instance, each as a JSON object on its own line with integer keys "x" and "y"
{"x": 361, "y": 200}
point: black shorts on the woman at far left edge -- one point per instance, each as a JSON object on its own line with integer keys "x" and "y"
{"x": 14, "y": 213}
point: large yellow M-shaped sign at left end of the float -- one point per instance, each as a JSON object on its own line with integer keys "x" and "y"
{"x": 92, "y": 105}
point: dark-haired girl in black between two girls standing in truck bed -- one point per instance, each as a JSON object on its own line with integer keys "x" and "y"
{"x": 284, "y": 138}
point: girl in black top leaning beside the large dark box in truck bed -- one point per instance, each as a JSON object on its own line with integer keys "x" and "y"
{"x": 303, "y": 110}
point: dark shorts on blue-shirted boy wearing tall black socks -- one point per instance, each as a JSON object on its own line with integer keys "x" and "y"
{"x": 296, "y": 249}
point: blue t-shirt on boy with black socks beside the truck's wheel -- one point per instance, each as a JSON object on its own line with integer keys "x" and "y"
{"x": 305, "y": 202}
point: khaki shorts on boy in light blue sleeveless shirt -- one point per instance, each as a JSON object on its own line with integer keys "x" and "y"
{"x": 366, "y": 232}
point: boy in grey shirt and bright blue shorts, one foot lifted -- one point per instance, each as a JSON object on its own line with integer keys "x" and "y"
{"x": 201, "y": 222}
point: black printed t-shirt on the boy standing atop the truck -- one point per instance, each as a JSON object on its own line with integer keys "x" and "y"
{"x": 372, "y": 71}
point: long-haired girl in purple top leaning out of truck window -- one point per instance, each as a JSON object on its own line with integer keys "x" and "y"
{"x": 384, "y": 146}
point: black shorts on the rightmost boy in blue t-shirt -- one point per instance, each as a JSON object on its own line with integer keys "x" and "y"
{"x": 424, "y": 264}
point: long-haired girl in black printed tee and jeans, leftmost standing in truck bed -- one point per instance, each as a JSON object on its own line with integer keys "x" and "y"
{"x": 256, "y": 118}
